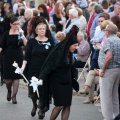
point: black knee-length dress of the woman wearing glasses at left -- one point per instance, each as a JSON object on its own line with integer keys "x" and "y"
{"x": 11, "y": 52}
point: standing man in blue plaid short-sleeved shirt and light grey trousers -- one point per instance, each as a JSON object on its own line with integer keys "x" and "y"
{"x": 109, "y": 63}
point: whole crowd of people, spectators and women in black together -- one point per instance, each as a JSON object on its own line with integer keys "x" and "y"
{"x": 51, "y": 42}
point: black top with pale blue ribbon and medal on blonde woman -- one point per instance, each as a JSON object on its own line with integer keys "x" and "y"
{"x": 36, "y": 53}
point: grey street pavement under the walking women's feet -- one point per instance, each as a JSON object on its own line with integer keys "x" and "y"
{"x": 22, "y": 110}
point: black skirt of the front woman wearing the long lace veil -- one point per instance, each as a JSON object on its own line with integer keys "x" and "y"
{"x": 62, "y": 93}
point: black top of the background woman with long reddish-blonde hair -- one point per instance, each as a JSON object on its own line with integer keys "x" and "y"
{"x": 56, "y": 20}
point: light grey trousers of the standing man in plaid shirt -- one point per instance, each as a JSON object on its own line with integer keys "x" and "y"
{"x": 109, "y": 93}
